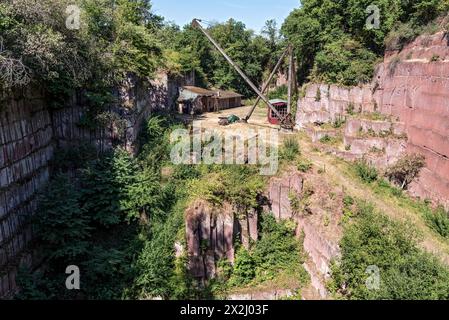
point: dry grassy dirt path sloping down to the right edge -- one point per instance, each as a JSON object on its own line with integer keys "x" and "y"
{"x": 337, "y": 171}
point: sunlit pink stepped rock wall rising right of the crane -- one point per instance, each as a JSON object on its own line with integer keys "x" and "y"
{"x": 411, "y": 87}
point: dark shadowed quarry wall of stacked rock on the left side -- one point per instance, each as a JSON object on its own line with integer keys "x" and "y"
{"x": 30, "y": 131}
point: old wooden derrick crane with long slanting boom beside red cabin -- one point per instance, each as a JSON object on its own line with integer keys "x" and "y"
{"x": 286, "y": 121}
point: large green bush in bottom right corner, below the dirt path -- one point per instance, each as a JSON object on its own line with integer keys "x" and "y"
{"x": 406, "y": 273}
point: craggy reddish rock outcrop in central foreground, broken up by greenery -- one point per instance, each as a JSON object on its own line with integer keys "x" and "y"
{"x": 211, "y": 232}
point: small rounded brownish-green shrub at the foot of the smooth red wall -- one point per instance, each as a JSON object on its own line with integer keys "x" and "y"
{"x": 406, "y": 170}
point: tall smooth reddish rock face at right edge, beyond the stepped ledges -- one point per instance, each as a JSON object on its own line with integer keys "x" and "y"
{"x": 417, "y": 92}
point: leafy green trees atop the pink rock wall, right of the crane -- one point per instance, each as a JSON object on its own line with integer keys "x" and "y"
{"x": 320, "y": 27}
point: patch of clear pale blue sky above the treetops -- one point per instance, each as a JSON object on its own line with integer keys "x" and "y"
{"x": 253, "y": 13}
